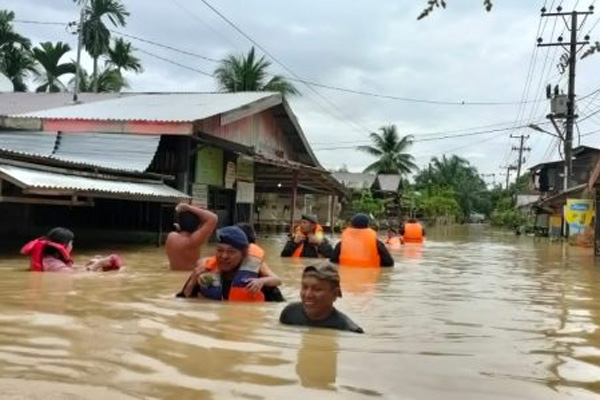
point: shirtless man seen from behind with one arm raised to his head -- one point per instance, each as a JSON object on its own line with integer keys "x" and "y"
{"x": 194, "y": 227}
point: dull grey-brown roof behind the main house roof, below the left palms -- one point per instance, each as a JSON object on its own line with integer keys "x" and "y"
{"x": 18, "y": 103}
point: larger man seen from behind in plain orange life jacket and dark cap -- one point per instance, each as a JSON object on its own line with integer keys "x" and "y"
{"x": 359, "y": 246}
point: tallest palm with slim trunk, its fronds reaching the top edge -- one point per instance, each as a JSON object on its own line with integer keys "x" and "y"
{"x": 96, "y": 36}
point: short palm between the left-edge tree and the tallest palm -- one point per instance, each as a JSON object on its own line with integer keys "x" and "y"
{"x": 48, "y": 56}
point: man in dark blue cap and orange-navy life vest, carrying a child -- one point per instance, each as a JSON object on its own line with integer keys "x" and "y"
{"x": 237, "y": 272}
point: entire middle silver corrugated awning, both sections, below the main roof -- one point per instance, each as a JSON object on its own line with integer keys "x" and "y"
{"x": 117, "y": 152}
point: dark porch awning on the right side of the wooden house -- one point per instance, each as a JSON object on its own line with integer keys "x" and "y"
{"x": 274, "y": 175}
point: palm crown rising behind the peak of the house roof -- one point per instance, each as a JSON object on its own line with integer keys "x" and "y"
{"x": 246, "y": 73}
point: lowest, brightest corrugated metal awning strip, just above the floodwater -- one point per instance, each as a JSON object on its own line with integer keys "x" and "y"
{"x": 28, "y": 178}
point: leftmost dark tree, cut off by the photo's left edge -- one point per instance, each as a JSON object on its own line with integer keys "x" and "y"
{"x": 15, "y": 56}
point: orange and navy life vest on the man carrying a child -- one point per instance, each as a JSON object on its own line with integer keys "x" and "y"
{"x": 249, "y": 268}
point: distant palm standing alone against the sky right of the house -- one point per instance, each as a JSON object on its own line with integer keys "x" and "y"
{"x": 390, "y": 150}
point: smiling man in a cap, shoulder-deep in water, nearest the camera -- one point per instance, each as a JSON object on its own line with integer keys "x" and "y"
{"x": 319, "y": 290}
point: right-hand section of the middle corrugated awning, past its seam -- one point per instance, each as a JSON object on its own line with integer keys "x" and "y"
{"x": 122, "y": 152}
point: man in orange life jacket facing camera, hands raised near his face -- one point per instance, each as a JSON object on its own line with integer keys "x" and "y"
{"x": 308, "y": 240}
